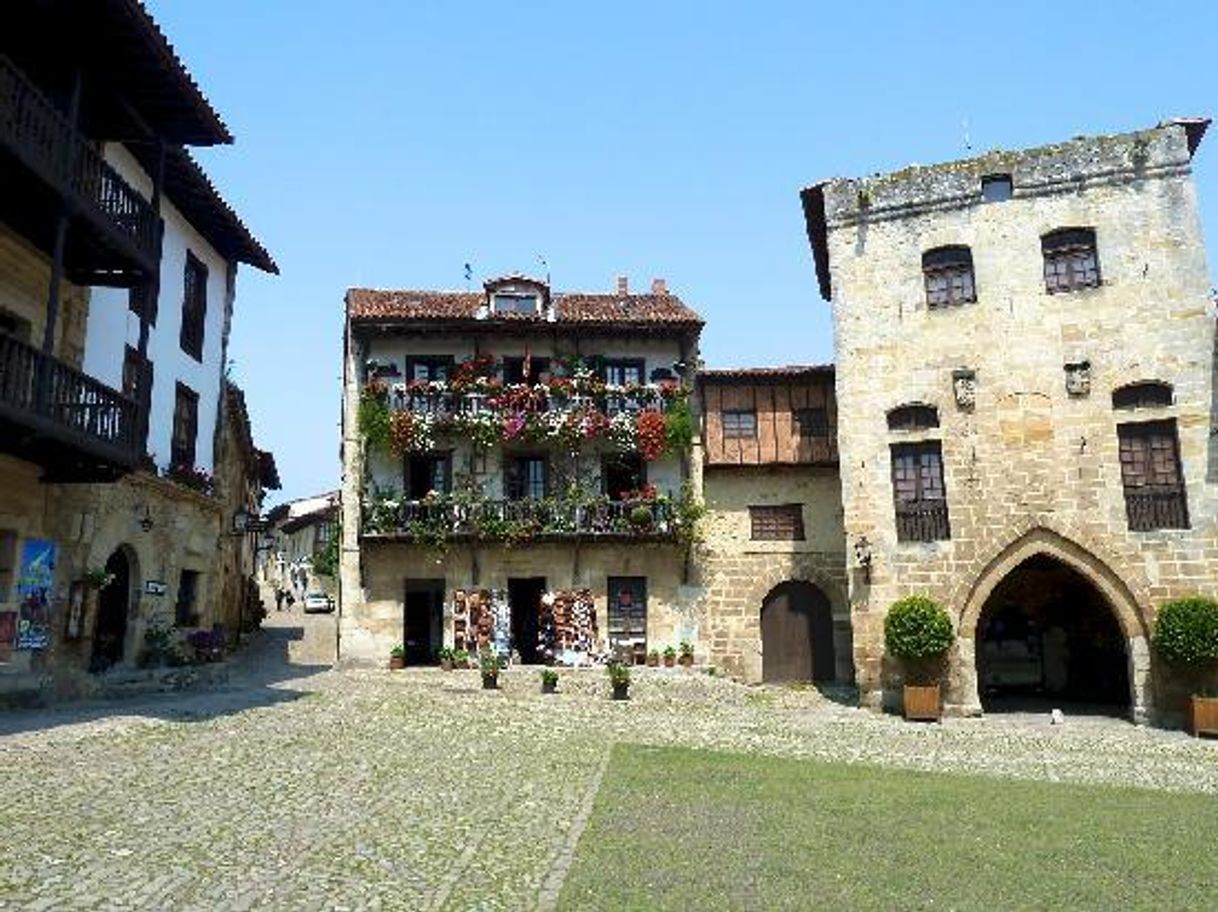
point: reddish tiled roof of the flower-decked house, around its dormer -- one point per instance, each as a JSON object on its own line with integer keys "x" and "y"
{"x": 574, "y": 309}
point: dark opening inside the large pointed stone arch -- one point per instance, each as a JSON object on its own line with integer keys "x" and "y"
{"x": 1048, "y": 639}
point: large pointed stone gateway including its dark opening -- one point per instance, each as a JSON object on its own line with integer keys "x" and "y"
{"x": 1048, "y": 623}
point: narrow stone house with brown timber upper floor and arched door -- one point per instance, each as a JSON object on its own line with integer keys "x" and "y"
{"x": 772, "y": 558}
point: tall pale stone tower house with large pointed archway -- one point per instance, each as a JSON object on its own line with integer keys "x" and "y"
{"x": 1025, "y": 350}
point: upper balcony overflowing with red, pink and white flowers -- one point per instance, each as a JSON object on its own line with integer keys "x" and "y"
{"x": 651, "y": 419}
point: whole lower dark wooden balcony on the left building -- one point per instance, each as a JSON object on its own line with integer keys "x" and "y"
{"x": 52, "y": 415}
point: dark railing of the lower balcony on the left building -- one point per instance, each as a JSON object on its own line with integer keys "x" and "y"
{"x": 54, "y": 399}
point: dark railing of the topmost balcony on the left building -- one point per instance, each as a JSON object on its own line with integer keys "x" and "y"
{"x": 46, "y": 142}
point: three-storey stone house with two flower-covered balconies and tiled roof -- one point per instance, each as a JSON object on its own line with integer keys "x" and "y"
{"x": 517, "y": 471}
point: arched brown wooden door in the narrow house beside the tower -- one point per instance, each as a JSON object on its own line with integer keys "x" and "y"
{"x": 797, "y": 635}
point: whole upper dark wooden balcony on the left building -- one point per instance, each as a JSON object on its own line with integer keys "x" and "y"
{"x": 48, "y": 167}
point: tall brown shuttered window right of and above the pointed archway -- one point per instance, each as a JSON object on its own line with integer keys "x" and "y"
{"x": 1152, "y": 475}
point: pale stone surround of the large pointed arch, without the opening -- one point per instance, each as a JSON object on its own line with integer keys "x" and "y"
{"x": 1043, "y": 545}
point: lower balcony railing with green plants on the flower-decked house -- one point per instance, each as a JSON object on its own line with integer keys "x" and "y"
{"x": 516, "y": 522}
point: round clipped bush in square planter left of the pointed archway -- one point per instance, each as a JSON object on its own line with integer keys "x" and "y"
{"x": 919, "y": 633}
